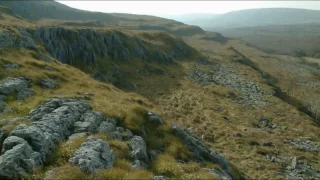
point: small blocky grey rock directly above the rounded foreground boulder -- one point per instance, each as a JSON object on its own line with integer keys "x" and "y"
{"x": 89, "y": 122}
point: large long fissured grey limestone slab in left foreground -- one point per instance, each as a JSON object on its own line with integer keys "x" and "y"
{"x": 53, "y": 127}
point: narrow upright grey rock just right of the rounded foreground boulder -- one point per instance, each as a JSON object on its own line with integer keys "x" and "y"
{"x": 138, "y": 152}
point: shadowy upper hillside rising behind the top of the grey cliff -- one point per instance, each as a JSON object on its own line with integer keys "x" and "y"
{"x": 60, "y": 14}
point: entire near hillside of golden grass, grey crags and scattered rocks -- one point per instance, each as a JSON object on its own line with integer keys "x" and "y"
{"x": 82, "y": 99}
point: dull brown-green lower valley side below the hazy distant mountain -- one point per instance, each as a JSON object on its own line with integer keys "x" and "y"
{"x": 281, "y": 39}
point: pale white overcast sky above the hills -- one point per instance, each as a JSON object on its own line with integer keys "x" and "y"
{"x": 184, "y": 7}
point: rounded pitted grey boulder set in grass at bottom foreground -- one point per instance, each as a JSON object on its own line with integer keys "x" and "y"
{"x": 92, "y": 155}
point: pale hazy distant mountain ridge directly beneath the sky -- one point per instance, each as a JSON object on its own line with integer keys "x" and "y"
{"x": 251, "y": 18}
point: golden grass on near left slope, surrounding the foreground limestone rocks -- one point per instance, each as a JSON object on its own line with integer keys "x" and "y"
{"x": 129, "y": 108}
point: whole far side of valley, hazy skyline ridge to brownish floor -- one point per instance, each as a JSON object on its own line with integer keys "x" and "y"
{"x": 274, "y": 30}
